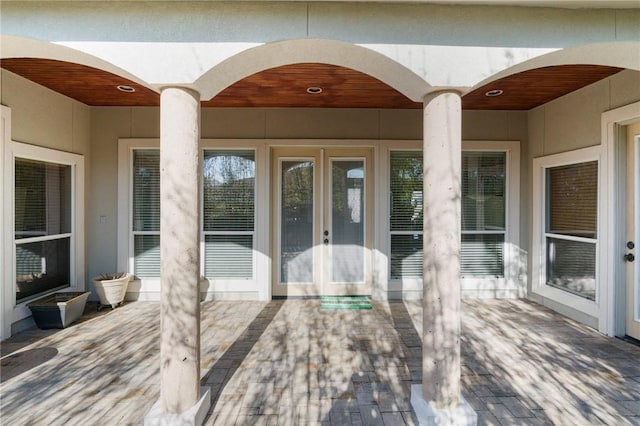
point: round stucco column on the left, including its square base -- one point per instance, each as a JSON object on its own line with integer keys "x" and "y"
{"x": 181, "y": 399}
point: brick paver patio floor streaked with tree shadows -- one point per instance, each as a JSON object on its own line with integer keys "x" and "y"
{"x": 290, "y": 362}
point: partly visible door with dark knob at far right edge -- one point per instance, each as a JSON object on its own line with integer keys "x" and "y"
{"x": 633, "y": 232}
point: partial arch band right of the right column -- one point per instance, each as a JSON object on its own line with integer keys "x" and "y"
{"x": 619, "y": 54}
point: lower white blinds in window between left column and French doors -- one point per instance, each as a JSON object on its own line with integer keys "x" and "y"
{"x": 228, "y": 256}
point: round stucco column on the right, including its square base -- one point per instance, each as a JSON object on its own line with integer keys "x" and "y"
{"x": 438, "y": 399}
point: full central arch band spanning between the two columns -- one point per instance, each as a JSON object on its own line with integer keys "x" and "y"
{"x": 331, "y": 52}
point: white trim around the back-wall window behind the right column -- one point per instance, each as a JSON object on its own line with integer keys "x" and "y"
{"x": 514, "y": 281}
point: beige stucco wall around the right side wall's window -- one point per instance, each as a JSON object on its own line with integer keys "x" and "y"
{"x": 573, "y": 122}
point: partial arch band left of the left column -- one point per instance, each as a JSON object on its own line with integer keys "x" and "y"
{"x": 20, "y": 47}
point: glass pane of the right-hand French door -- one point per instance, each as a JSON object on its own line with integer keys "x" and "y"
{"x": 347, "y": 221}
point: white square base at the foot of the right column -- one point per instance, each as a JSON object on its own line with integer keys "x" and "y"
{"x": 463, "y": 415}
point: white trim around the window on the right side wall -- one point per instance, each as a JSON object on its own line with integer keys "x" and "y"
{"x": 539, "y": 286}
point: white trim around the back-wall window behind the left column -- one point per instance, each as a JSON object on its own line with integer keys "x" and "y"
{"x": 149, "y": 288}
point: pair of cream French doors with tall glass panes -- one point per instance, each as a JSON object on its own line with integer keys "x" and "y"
{"x": 322, "y": 221}
